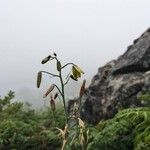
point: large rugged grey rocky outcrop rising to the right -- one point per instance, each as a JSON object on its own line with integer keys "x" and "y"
{"x": 118, "y": 84}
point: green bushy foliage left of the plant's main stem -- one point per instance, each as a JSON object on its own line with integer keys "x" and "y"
{"x": 23, "y": 128}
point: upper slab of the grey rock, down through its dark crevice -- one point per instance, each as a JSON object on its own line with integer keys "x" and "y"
{"x": 136, "y": 58}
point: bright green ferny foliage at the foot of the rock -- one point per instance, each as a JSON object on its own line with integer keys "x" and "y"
{"x": 129, "y": 129}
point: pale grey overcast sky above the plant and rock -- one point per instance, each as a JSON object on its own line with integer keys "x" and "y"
{"x": 86, "y": 32}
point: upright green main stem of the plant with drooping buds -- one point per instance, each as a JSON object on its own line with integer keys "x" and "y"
{"x": 63, "y": 95}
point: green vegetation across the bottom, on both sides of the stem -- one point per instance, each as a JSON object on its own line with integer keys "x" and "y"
{"x": 22, "y": 127}
